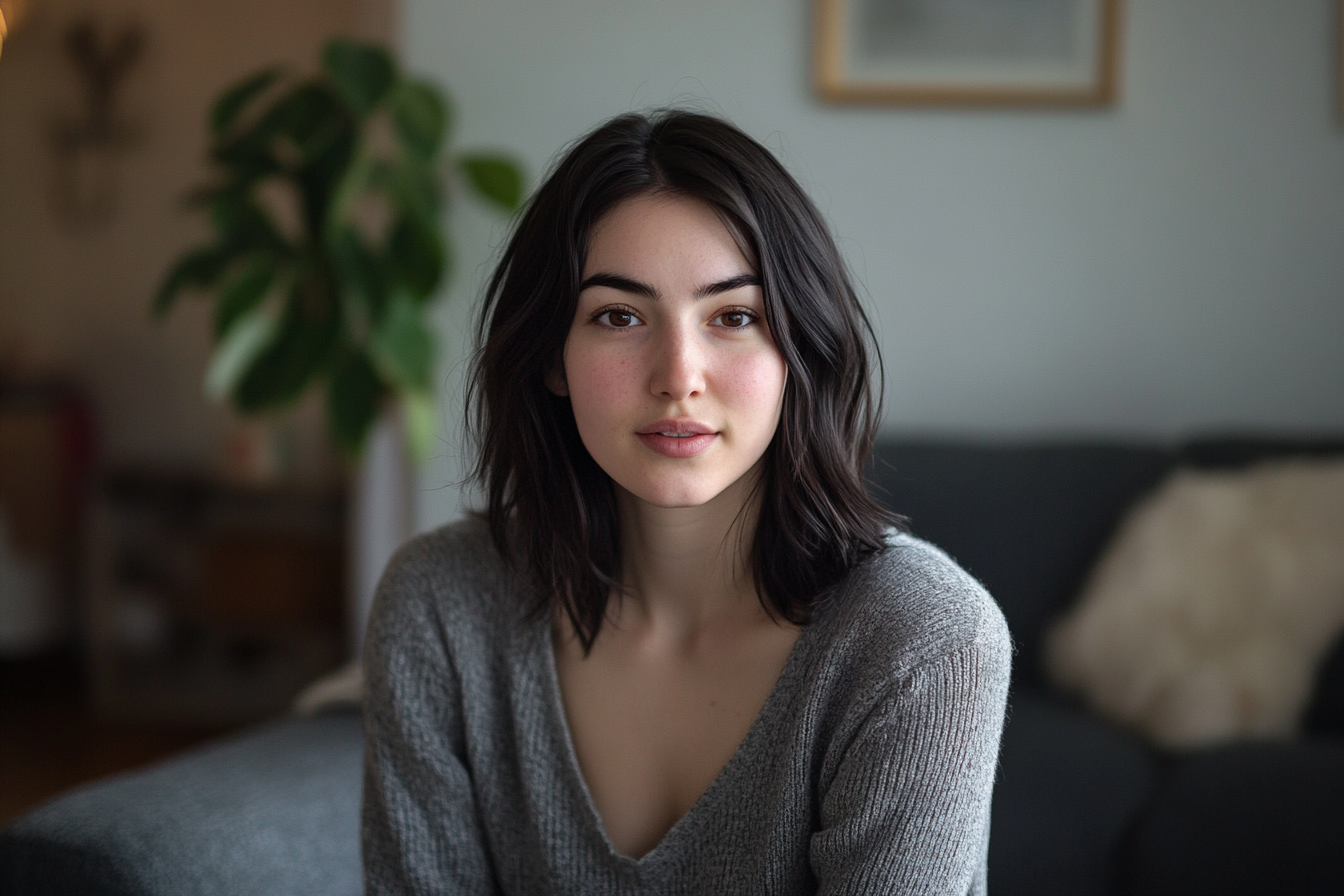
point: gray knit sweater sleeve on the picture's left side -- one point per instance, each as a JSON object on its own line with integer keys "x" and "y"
{"x": 421, "y": 828}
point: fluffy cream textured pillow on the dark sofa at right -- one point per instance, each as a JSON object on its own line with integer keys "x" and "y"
{"x": 1209, "y": 615}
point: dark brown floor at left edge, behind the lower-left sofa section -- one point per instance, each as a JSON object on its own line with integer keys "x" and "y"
{"x": 50, "y": 741}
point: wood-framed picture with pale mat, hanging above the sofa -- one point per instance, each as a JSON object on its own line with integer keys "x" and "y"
{"x": 967, "y": 53}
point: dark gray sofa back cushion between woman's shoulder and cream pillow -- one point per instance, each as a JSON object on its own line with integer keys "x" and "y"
{"x": 1027, "y": 521}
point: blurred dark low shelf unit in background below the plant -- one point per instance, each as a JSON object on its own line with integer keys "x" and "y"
{"x": 212, "y": 604}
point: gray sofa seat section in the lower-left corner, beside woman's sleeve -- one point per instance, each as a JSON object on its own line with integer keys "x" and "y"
{"x": 275, "y": 811}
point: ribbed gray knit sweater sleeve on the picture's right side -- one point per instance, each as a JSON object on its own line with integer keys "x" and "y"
{"x": 908, "y": 811}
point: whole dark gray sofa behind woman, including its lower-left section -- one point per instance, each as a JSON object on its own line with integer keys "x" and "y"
{"x": 1081, "y": 808}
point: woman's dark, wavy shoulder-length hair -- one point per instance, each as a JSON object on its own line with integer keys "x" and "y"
{"x": 552, "y": 510}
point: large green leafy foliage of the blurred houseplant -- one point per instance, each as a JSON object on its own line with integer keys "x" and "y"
{"x": 326, "y": 208}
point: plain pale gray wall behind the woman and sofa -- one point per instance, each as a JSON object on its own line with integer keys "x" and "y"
{"x": 1173, "y": 264}
